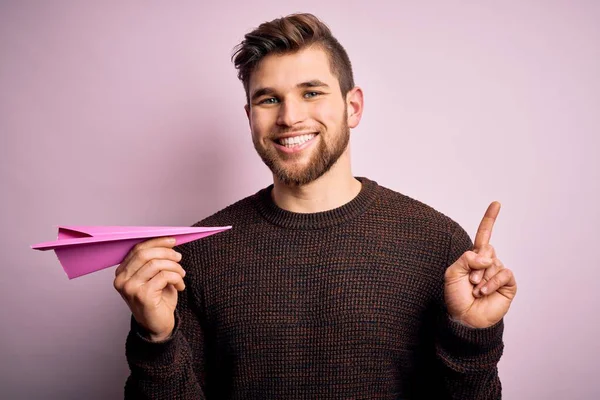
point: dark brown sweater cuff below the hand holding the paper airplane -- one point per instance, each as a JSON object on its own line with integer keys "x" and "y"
{"x": 141, "y": 351}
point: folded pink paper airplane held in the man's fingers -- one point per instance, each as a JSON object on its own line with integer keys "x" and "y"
{"x": 85, "y": 249}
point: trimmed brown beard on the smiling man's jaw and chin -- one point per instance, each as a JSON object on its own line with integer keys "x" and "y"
{"x": 322, "y": 159}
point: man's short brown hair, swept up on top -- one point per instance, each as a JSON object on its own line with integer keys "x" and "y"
{"x": 288, "y": 35}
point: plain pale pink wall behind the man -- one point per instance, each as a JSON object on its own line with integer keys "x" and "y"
{"x": 131, "y": 114}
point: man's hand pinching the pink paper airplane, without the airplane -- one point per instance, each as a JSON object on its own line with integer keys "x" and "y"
{"x": 148, "y": 280}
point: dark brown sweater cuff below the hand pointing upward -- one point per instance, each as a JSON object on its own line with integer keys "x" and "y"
{"x": 470, "y": 348}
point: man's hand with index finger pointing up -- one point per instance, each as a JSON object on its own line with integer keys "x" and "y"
{"x": 478, "y": 289}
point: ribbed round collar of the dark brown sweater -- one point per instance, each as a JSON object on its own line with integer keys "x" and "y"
{"x": 287, "y": 219}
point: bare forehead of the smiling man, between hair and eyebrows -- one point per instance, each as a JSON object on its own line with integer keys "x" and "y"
{"x": 285, "y": 71}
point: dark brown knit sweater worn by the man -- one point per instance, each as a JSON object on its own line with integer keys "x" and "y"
{"x": 342, "y": 304}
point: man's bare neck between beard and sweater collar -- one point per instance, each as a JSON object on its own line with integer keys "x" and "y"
{"x": 332, "y": 190}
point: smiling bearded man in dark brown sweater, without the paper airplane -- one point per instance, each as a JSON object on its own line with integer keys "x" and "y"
{"x": 328, "y": 286}
